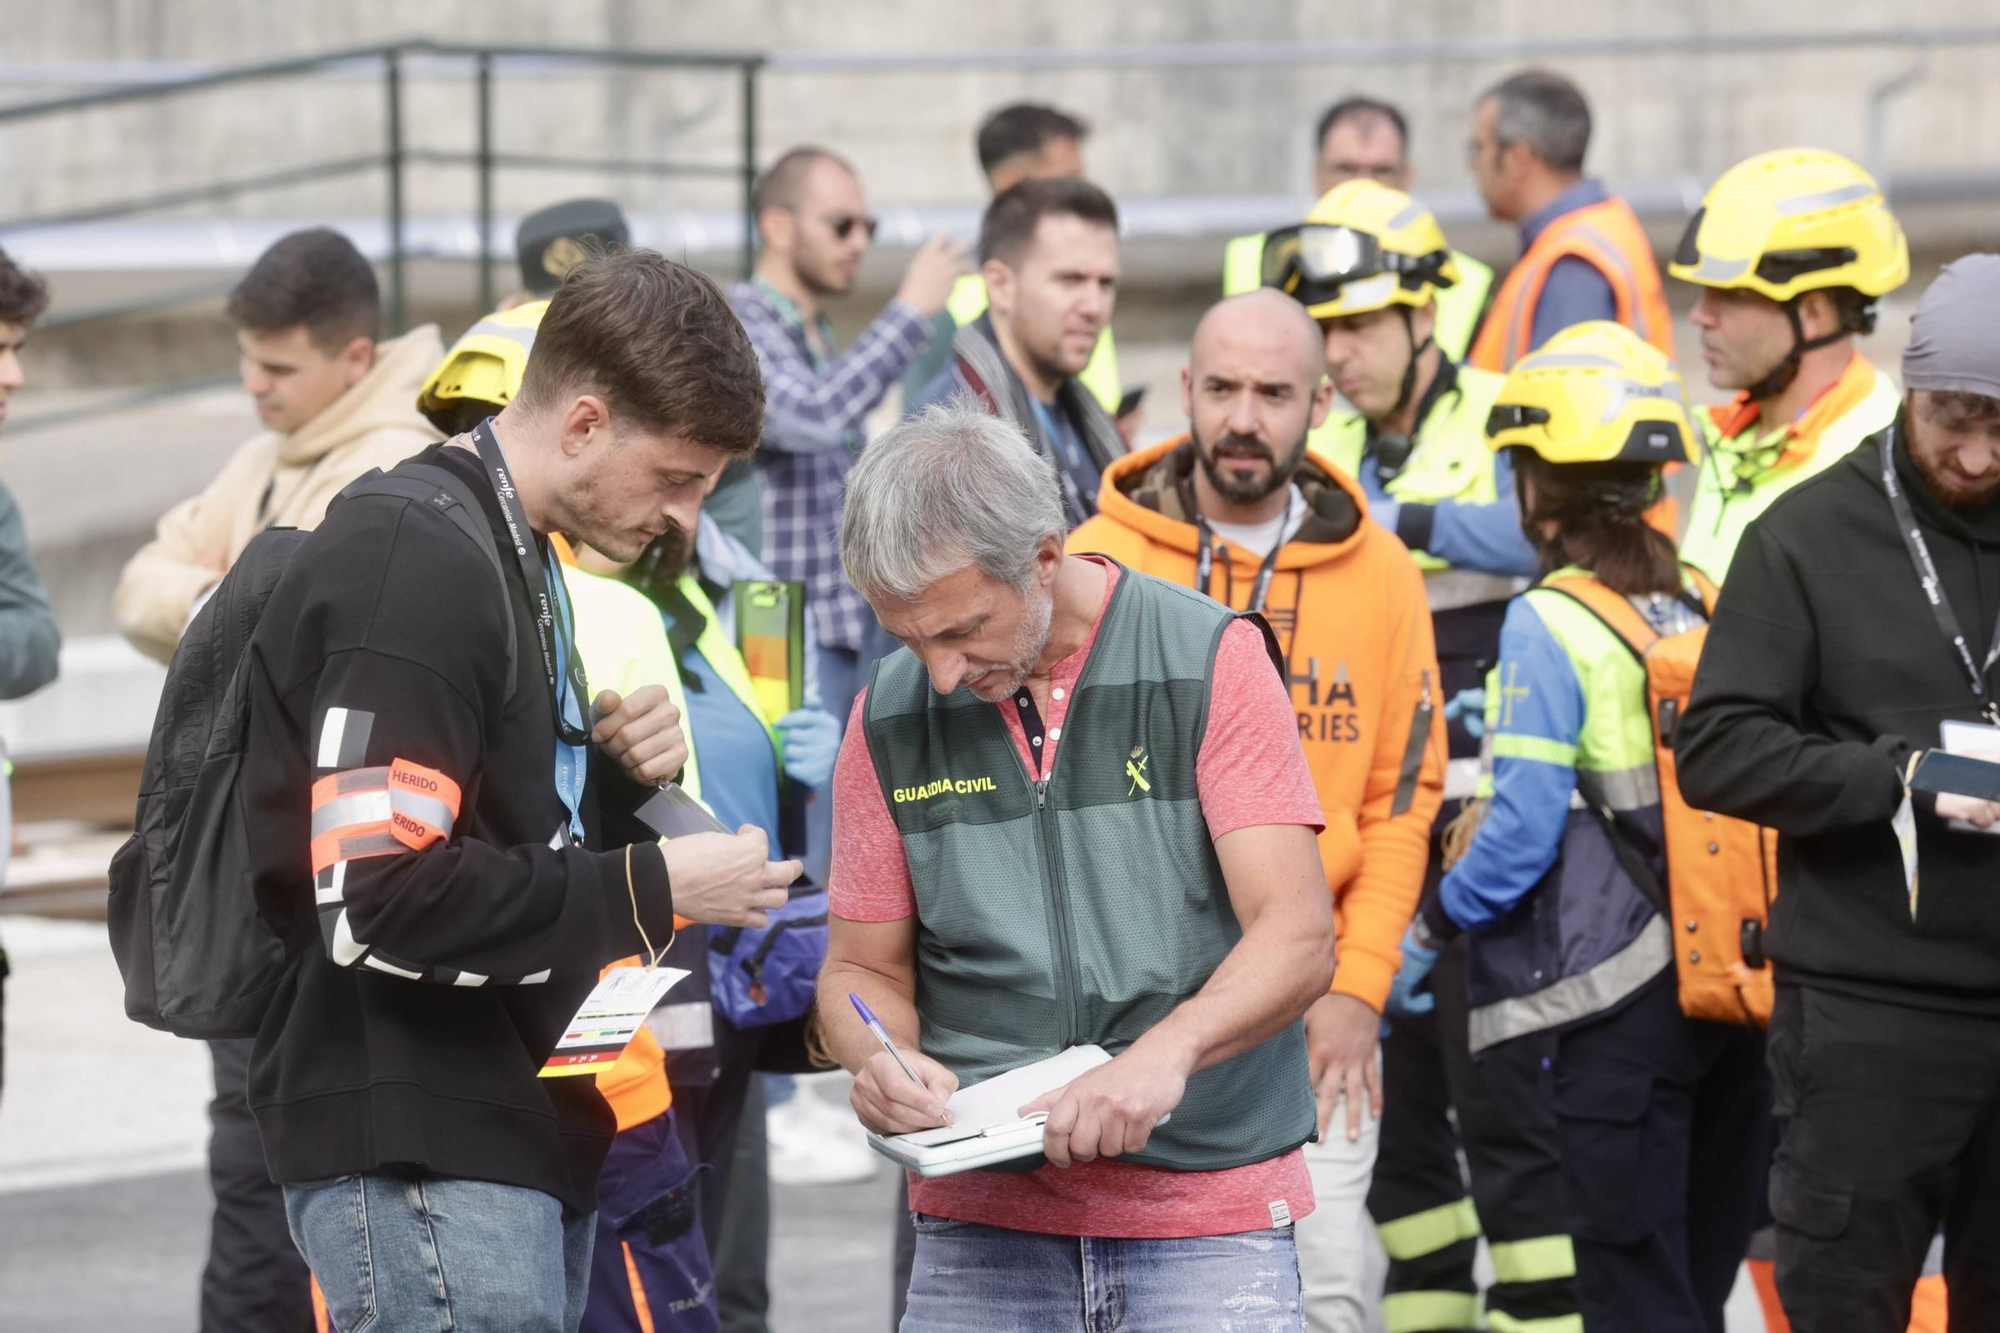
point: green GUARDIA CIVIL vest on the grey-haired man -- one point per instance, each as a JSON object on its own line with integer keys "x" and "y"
{"x": 1087, "y": 906}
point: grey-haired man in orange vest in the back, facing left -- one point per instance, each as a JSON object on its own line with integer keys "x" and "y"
{"x": 1585, "y": 255}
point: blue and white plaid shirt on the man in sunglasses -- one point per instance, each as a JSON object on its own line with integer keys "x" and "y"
{"x": 813, "y": 429}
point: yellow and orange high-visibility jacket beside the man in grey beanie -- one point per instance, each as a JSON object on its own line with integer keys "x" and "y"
{"x": 1749, "y": 465}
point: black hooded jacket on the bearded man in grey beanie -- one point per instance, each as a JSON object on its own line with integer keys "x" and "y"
{"x": 1823, "y": 674}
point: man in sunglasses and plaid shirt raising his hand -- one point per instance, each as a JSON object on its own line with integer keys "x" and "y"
{"x": 815, "y": 229}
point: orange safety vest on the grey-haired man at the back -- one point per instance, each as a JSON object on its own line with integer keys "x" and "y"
{"x": 1613, "y": 241}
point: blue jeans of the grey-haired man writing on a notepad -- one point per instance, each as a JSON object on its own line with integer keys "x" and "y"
{"x": 1017, "y": 1282}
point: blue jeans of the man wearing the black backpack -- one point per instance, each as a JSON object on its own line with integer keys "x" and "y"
{"x": 411, "y": 1254}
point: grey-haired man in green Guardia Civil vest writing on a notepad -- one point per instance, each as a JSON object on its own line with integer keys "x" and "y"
{"x": 1003, "y": 894}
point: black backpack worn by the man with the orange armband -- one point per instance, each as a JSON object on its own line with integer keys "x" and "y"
{"x": 197, "y": 956}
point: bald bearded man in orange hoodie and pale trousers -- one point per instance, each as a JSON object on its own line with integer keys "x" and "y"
{"x": 1245, "y": 511}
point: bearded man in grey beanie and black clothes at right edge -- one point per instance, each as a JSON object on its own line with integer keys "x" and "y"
{"x": 1861, "y": 627}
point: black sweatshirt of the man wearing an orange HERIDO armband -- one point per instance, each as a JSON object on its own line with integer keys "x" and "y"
{"x": 489, "y": 938}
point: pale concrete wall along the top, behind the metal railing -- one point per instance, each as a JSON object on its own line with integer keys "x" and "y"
{"x": 1189, "y": 131}
